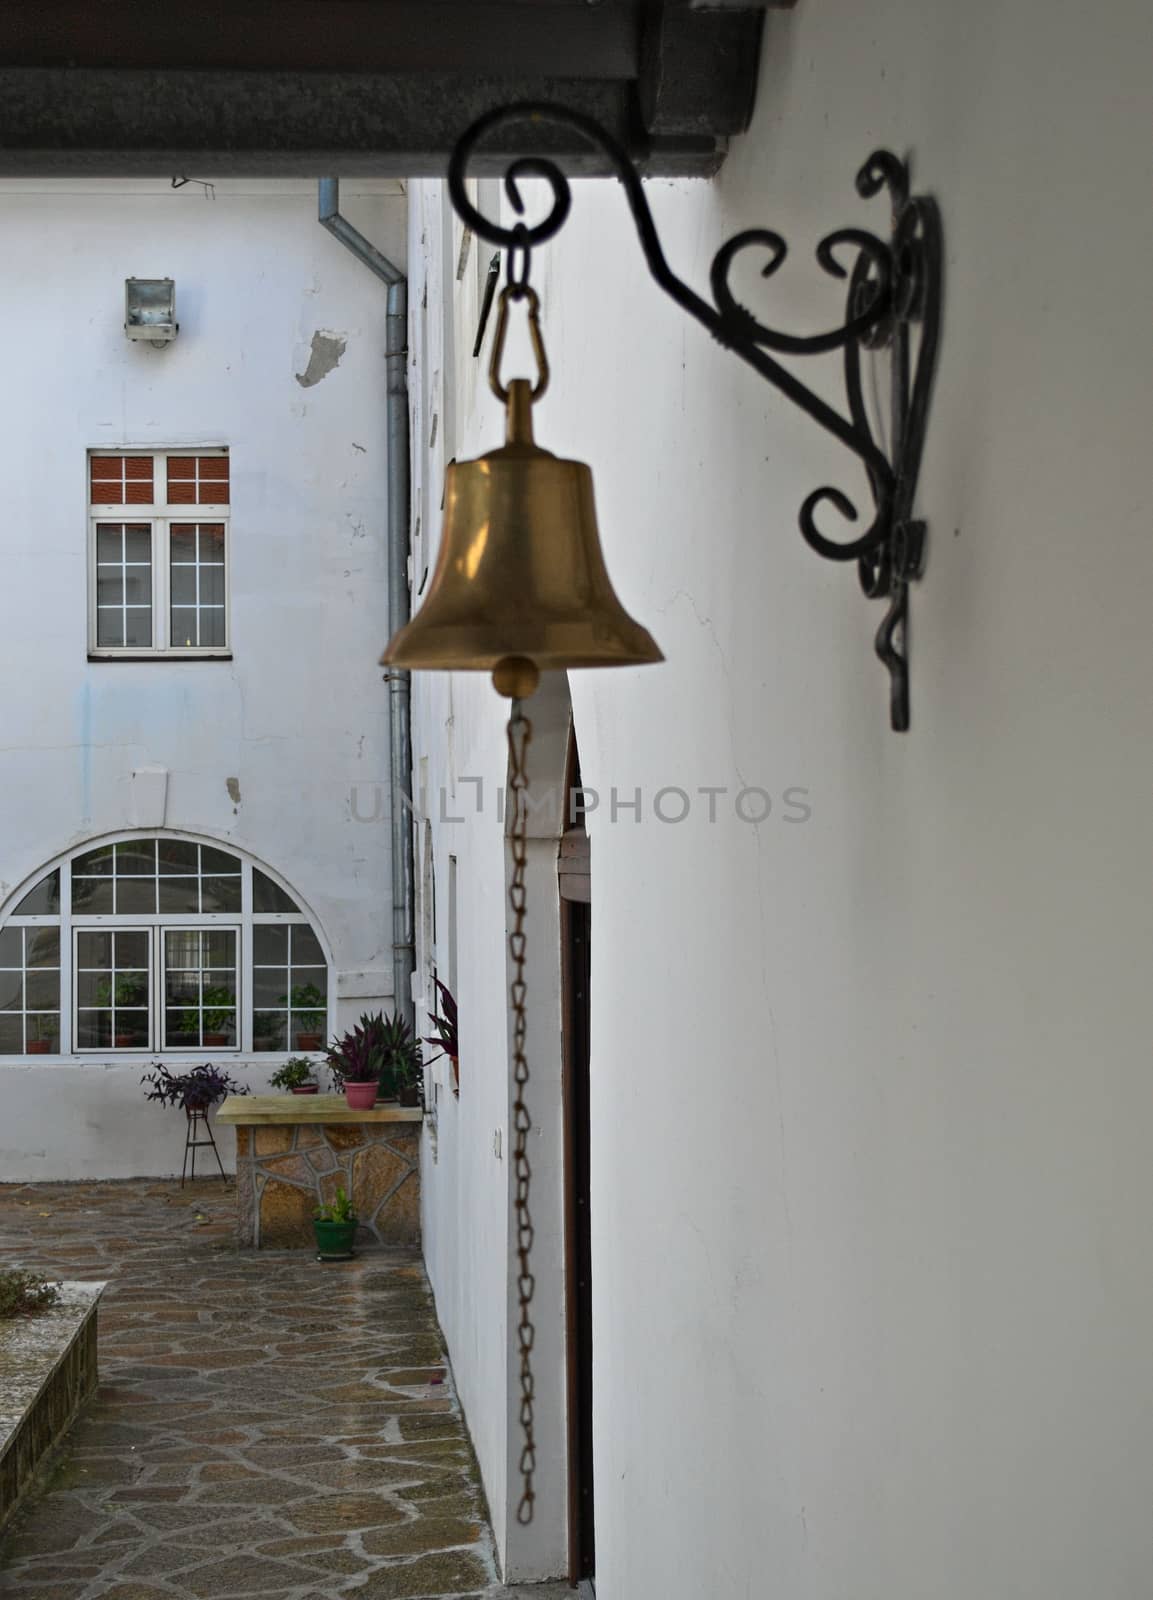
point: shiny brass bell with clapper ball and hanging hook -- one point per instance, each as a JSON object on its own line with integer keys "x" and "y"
{"x": 521, "y": 585}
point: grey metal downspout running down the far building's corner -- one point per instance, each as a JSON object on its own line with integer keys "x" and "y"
{"x": 401, "y": 734}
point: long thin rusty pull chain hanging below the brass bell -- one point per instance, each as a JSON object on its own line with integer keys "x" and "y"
{"x": 521, "y": 737}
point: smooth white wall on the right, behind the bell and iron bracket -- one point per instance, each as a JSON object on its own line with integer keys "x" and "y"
{"x": 871, "y": 1092}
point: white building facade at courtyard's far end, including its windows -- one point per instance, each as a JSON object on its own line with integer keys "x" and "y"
{"x": 196, "y": 850}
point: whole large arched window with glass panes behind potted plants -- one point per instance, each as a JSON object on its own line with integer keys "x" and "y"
{"x": 162, "y": 946}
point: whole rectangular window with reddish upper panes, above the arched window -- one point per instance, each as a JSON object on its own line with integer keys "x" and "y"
{"x": 159, "y": 583}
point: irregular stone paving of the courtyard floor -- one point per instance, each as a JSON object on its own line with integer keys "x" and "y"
{"x": 265, "y": 1425}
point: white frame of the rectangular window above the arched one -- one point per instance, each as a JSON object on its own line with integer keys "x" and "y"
{"x": 159, "y": 516}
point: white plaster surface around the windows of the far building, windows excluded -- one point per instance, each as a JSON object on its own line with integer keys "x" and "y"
{"x": 298, "y": 718}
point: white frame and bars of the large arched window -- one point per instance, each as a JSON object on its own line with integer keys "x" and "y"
{"x": 245, "y": 921}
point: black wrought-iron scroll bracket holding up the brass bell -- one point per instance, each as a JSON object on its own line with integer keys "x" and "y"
{"x": 895, "y": 294}
